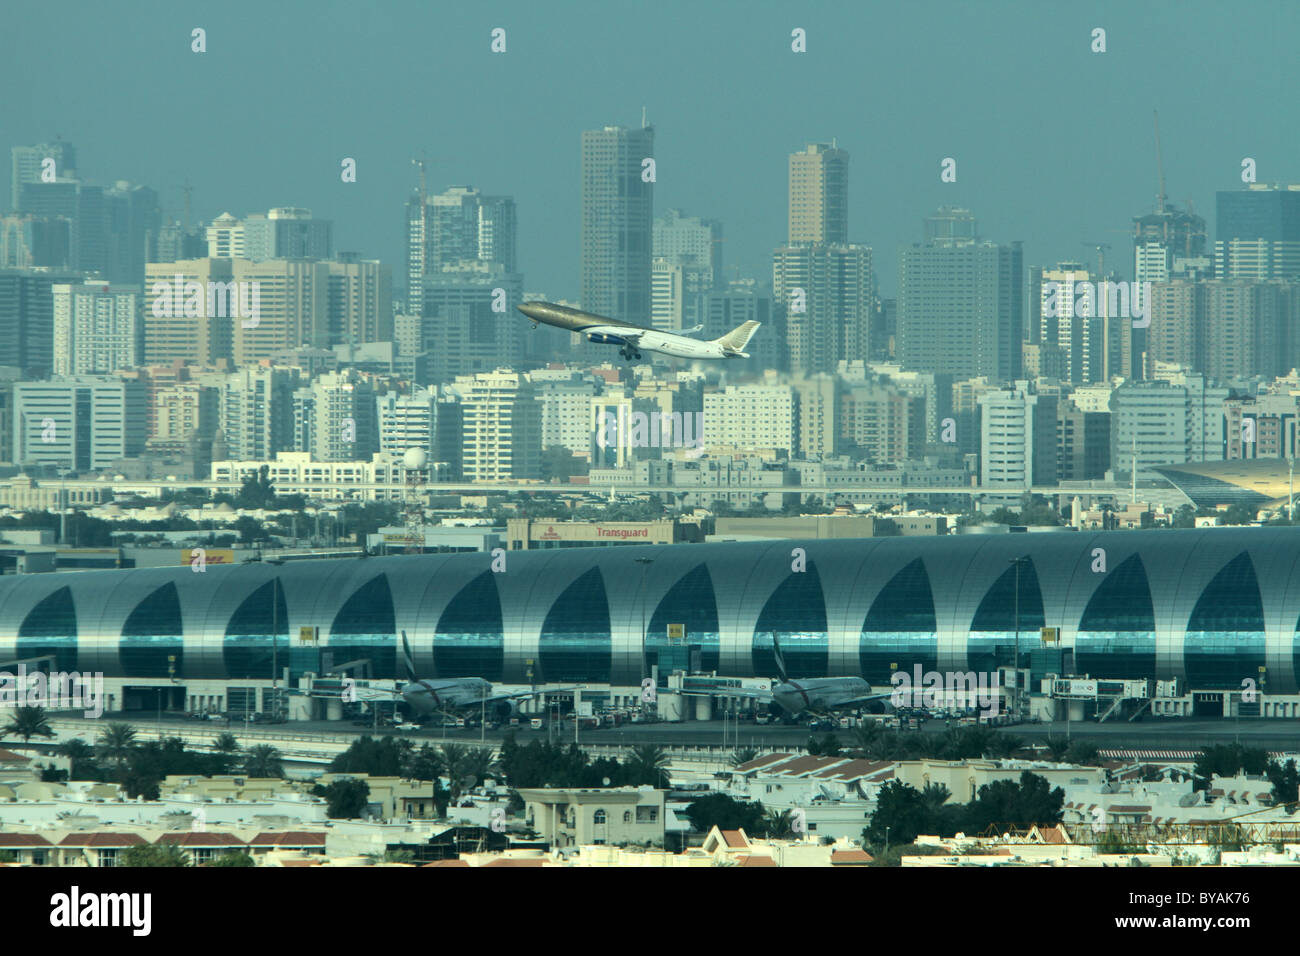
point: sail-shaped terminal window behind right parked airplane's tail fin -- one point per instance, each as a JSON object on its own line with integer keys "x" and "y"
{"x": 795, "y": 616}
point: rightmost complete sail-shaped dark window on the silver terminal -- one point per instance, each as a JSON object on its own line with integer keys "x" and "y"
{"x": 1225, "y": 634}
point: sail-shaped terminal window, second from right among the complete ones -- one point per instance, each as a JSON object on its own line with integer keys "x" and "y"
{"x": 1117, "y": 631}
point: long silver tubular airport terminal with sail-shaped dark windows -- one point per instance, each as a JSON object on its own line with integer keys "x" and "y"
{"x": 1210, "y": 608}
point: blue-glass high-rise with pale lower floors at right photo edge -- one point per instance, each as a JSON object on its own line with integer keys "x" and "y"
{"x": 1258, "y": 233}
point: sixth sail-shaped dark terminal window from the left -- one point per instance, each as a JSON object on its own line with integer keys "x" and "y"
{"x": 575, "y": 643}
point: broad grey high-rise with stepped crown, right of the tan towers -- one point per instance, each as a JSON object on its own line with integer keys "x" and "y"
{"x": 961, "y": 302}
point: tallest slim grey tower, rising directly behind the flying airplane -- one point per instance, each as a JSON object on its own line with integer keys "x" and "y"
{"x": 618, "y": 224}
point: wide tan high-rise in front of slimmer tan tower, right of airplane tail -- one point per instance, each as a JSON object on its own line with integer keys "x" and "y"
{"x": 829, "y": 297}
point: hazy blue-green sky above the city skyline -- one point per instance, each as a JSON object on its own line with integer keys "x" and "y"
{"x": 1054, "y": 142}
